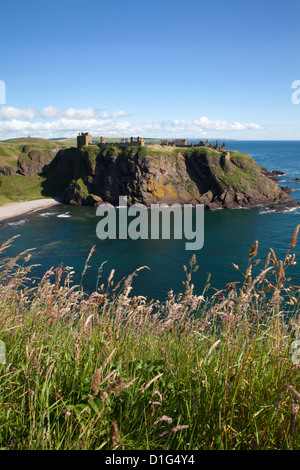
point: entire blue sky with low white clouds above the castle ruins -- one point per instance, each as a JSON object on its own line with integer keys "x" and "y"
{"x": 160, "y": 68}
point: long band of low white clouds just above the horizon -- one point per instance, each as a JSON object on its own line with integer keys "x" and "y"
{"x": 56, "y": 122}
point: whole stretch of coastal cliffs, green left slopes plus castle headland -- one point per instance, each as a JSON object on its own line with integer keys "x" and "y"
{"x": 33, "y": 168}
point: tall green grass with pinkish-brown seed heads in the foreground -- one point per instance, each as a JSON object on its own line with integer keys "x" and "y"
{"x": 111, "y": 371}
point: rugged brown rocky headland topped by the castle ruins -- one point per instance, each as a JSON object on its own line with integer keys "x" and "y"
{"x": 151, "y": 175}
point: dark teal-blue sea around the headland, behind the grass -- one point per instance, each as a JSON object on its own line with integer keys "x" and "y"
{"x": 65, "y": 235}
